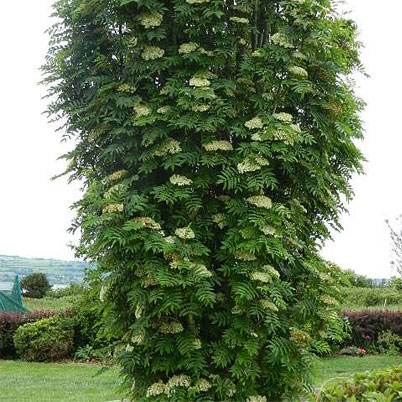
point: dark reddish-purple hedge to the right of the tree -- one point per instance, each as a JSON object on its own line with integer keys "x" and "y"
{"x": 366, "y": 326}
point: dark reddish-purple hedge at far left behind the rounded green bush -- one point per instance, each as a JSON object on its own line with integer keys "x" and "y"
{"x": 9, "y": 323}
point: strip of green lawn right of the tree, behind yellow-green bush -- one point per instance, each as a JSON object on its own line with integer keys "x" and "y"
{"x": 333, "y": 367}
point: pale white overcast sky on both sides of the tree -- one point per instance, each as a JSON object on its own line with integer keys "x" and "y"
{"x": 35, "y": 211}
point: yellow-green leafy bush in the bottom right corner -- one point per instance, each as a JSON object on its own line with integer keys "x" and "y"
{"x": 384, "y": 385}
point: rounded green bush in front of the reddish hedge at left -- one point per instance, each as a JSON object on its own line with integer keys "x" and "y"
{"x": 49, "y": 339}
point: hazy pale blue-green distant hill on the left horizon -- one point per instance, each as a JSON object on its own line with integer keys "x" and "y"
{"x": 58, "y": 272}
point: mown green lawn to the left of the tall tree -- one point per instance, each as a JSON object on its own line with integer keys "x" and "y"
{"x": 64, "y": 382}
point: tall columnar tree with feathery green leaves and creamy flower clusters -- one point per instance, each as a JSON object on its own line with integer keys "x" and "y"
{"x": 215, "y": 140}
